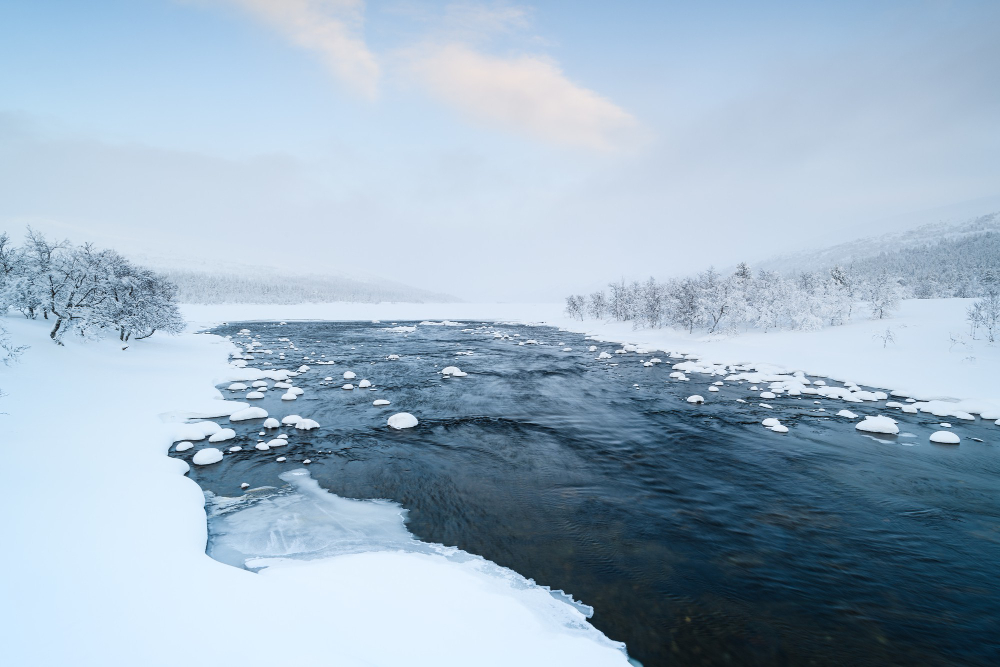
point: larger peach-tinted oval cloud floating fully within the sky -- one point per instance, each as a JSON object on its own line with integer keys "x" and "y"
{"x": 528, "y": 94}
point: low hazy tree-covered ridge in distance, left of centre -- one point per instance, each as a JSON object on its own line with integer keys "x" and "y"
{"x": 220, "y": 288}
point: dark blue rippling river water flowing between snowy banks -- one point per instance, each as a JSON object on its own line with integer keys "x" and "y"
{"x": 697, "y": 535}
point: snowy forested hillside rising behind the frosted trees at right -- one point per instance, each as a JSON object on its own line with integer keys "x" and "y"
{"x": 930, "y": 261}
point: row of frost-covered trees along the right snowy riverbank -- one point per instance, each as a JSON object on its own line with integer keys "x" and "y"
{"x": 743, "y": 300}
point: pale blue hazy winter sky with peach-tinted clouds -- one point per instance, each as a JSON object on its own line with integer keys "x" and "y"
{"x": 492, "y": 150}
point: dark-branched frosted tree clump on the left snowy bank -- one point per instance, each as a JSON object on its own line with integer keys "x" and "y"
{"x": 83, "y": 290}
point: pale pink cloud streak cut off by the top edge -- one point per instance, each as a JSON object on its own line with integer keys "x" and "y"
{"x": 331, "y": 28}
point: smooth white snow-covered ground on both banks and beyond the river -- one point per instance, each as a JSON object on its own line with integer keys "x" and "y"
{"x": 104, "y": 559}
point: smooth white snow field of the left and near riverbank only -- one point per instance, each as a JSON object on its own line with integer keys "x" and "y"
{"x": 104, "y": 546}
